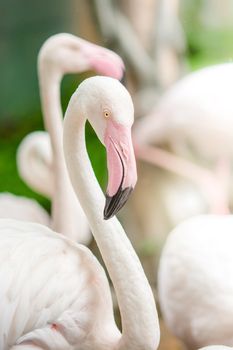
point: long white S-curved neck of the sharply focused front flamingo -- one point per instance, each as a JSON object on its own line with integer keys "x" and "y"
{"x": 140, "y": 329}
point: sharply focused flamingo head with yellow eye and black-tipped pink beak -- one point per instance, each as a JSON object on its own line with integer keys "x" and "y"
{"x": 110, "y": 111}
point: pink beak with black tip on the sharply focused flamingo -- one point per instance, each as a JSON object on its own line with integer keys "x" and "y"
{"x": 122, "y": 173}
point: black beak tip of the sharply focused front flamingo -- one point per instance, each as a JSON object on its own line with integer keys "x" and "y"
{"x": 115, "y": 203}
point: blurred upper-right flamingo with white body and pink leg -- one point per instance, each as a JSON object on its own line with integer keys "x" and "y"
{"x": 194, "y": 116}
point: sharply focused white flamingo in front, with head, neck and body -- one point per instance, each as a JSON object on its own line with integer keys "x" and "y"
{"x": 54, "y": 293}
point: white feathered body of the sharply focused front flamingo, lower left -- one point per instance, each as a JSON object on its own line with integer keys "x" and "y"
{"x": 44, "y": 291}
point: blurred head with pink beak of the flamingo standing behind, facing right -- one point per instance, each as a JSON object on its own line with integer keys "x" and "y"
{"x": 66, "y": 53}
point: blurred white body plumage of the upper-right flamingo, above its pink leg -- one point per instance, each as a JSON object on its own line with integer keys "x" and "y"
{"x": 195, "y": 113}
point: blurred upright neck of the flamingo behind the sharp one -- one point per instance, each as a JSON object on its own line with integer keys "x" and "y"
{"x": 65, "y": 208}
